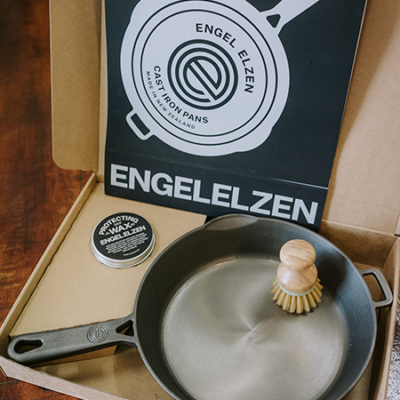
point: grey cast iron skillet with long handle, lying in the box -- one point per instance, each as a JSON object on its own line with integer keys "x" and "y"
{"x": 204, "y": 317}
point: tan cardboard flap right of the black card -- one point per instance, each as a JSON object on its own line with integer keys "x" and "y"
{"x": 364, "y": 189}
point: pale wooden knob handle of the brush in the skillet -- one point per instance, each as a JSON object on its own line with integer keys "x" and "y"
{"x": 297, "y": 272}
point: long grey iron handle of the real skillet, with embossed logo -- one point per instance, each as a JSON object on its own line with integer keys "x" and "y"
{"x": 35, "y": 348}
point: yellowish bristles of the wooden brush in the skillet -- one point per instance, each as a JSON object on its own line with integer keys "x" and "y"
{"x": 297, "y": 304}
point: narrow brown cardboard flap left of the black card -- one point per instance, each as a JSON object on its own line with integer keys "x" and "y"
{"x": 75, "y": 69}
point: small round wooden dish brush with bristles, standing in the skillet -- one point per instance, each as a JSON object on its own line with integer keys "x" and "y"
{"x": 297, "y": 287}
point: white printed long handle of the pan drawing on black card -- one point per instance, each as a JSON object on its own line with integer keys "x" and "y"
{"x": 287, "y": 10}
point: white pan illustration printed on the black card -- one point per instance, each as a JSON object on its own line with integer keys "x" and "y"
{"x": 208, "y": 78}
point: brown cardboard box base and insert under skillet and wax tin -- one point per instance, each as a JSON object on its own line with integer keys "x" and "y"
{"x": 63, "y": 281}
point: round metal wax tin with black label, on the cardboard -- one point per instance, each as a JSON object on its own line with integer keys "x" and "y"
{"x": 122, "y": 240}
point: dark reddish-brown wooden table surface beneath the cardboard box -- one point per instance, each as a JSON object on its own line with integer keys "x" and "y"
{"x": 35, "y": 194}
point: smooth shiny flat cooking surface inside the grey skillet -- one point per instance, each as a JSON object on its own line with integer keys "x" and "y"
{"x": 224, "y": 339}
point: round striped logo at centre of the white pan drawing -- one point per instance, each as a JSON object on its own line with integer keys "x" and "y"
{"x": 202, "y": 74}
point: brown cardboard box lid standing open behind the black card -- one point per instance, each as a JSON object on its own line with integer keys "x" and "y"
{"x": 364, "y": 190}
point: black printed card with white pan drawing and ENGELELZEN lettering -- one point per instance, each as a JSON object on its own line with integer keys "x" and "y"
{"x": 229, "y": 106}
